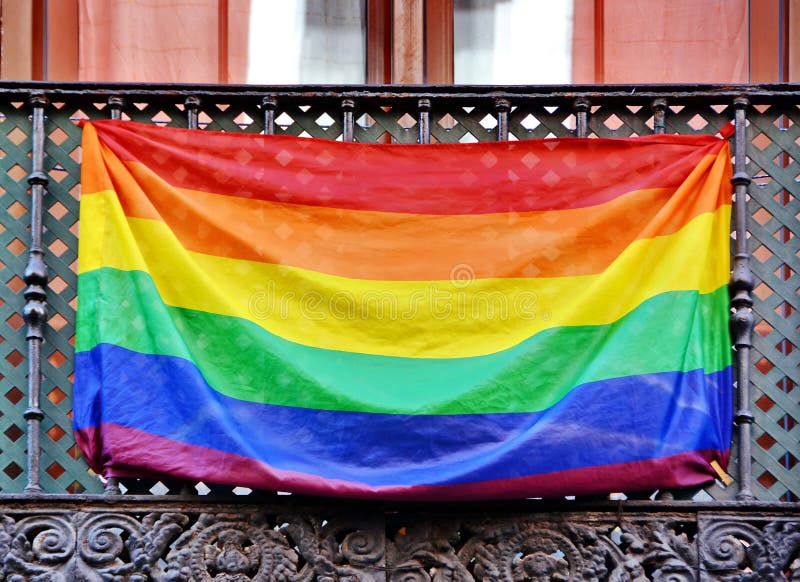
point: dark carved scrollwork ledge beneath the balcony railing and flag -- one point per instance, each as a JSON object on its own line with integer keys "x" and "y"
{"x": 289, "y": 538}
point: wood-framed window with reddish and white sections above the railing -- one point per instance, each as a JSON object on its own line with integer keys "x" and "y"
{"x": 401, "y": 41}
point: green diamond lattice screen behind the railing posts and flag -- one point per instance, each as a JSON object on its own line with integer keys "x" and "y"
{"x": 774, "y": 134}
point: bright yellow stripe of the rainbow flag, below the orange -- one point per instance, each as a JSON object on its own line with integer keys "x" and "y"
{"x": 431, "y": 319}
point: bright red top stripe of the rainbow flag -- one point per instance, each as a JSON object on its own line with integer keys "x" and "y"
{"x": 477, "y": 178}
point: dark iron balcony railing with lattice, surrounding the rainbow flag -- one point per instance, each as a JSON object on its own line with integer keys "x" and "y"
{"x": 40, "y": 144}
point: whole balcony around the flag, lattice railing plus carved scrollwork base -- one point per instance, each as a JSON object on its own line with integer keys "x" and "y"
{"x": 61, "y": 522}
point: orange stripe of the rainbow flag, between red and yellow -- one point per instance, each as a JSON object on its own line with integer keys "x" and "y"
{"x": 396, "y": 246}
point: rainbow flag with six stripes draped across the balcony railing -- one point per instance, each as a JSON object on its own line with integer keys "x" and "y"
{"x": 469, "y": 321}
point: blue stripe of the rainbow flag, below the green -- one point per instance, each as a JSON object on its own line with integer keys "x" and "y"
{"x": 612, "y": 421}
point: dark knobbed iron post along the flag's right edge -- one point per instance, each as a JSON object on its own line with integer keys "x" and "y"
{"x": 740, "y": 288}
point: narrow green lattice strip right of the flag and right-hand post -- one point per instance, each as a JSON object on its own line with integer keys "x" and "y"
{"x": 774, "y": 208}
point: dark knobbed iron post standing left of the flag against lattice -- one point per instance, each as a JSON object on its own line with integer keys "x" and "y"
{"x": 35, "y": 277}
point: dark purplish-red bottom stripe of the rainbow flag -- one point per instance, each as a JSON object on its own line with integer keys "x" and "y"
{"x": 183, "y": 461}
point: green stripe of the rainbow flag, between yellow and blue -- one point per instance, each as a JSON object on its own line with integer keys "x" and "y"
{"x": 675, "y": 331}
